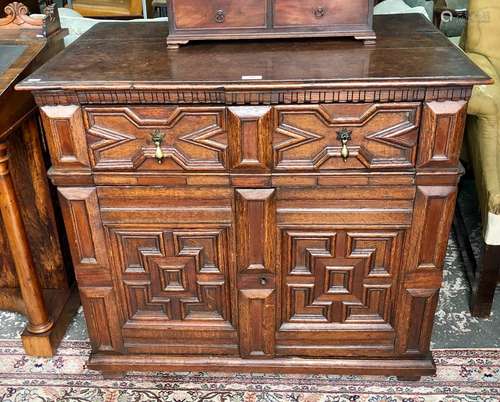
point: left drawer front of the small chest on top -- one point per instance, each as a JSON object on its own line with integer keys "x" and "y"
{"x": 219, "y": 14}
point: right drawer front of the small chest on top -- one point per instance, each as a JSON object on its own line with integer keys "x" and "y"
{"x": 320, "y": 12}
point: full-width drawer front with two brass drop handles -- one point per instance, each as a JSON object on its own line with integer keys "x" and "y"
{"x": 283, "y": 138}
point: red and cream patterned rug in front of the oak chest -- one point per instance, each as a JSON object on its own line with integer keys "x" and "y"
{"x": 463, "y": 375}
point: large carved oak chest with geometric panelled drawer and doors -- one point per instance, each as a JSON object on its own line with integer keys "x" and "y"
{"x": 258, "y": 206}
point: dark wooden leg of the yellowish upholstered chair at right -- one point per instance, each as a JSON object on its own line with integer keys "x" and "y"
{"x": 486, "y": 281}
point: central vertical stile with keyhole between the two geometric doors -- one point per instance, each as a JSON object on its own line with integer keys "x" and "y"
{"x": 256, "y": 260}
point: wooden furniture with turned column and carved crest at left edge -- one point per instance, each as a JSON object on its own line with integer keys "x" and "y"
{"x": 34, "y": 278}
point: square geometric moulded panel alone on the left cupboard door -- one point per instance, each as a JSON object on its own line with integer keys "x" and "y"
{"x": 172, "y": 275}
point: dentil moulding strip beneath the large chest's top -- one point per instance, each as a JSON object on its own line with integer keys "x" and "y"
{"x": 270, "y": 97}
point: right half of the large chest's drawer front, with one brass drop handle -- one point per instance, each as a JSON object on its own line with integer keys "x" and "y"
{"x": 345, "y": 136}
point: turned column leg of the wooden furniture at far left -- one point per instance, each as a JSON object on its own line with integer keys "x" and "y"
{"x": 31, "y": 291}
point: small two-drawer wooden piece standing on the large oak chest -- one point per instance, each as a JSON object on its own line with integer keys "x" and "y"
{"x": 264, "y": 19}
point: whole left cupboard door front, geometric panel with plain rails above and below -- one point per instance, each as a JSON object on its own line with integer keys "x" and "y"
{"x": 173, "y": 270}
